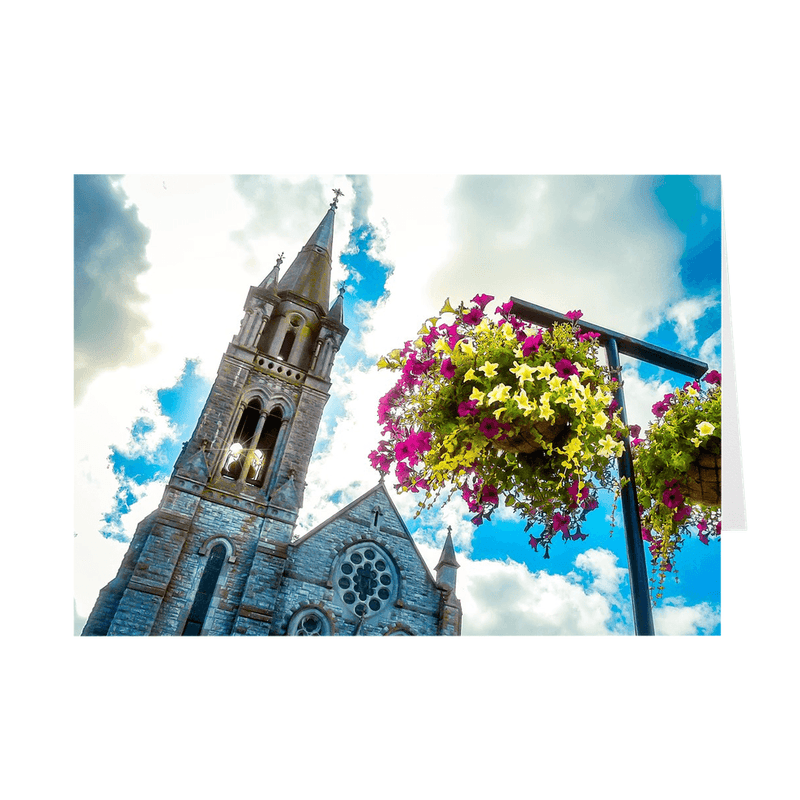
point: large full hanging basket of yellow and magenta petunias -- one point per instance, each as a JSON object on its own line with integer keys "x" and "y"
{"x": 490, "y": 408}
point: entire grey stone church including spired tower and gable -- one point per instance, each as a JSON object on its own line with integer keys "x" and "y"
{"x": 218, "y": 556}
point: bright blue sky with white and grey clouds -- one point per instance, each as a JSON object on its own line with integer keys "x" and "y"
{"x": 162, "y": 268}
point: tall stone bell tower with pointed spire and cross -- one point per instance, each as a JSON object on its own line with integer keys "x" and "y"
{"x": 211, "y": 558}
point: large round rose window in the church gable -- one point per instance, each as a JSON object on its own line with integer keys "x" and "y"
{"x": 365, "y": 580}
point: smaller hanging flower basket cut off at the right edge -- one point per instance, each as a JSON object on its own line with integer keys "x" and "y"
{"x": 682, "y": 449}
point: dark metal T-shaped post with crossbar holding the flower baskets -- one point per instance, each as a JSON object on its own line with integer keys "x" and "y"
{"x": 616, "y": 343}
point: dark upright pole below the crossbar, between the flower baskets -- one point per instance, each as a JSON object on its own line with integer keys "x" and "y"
{"x": 637, "y": 564}
